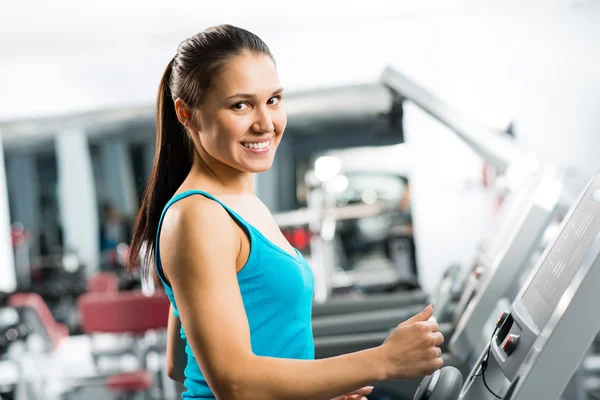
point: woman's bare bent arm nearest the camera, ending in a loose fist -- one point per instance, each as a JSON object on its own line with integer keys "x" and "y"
{"x": 199, "y": 249}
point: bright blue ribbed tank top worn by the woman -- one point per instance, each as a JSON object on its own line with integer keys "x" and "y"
{"x": 277, "y": 292}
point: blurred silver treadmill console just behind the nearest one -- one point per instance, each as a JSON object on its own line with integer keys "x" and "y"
{"x": 525, "y": 219}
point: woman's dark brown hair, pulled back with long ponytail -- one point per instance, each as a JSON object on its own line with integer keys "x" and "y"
{"x": 188, "y": 76}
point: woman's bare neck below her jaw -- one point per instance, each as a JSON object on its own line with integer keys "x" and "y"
{"x": 219, "y": 177}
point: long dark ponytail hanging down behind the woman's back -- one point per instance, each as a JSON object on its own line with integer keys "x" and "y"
{"x": 172, "y": 163}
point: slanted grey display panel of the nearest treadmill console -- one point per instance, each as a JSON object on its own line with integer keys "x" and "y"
{"x": 564, "y": 258}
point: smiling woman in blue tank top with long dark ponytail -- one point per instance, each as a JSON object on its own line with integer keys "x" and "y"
{"x": 241, "y": 293}
